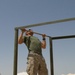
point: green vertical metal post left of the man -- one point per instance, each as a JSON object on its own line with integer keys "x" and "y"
{"x": 15, "y": 52}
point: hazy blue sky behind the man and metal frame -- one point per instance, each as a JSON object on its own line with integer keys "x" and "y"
{"x": 15, "y": 13}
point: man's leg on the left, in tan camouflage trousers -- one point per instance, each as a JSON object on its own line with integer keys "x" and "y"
{"x": 32, "y": 66}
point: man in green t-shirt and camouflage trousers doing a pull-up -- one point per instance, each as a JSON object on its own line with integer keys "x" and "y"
{"x": 35, "y": 61}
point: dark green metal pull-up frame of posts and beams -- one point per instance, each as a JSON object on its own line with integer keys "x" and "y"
{"x": 50, "y": 40}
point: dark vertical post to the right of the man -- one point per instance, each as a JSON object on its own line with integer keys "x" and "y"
{"x": 51, "y": 57}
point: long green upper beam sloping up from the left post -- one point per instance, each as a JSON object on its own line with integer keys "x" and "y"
{"x": 46, "y": 23}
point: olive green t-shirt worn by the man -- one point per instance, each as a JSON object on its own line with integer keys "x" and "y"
{"x": 33, "y": 44}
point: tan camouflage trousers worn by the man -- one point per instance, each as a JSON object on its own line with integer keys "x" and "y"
{"x": 36, "y": 65}
